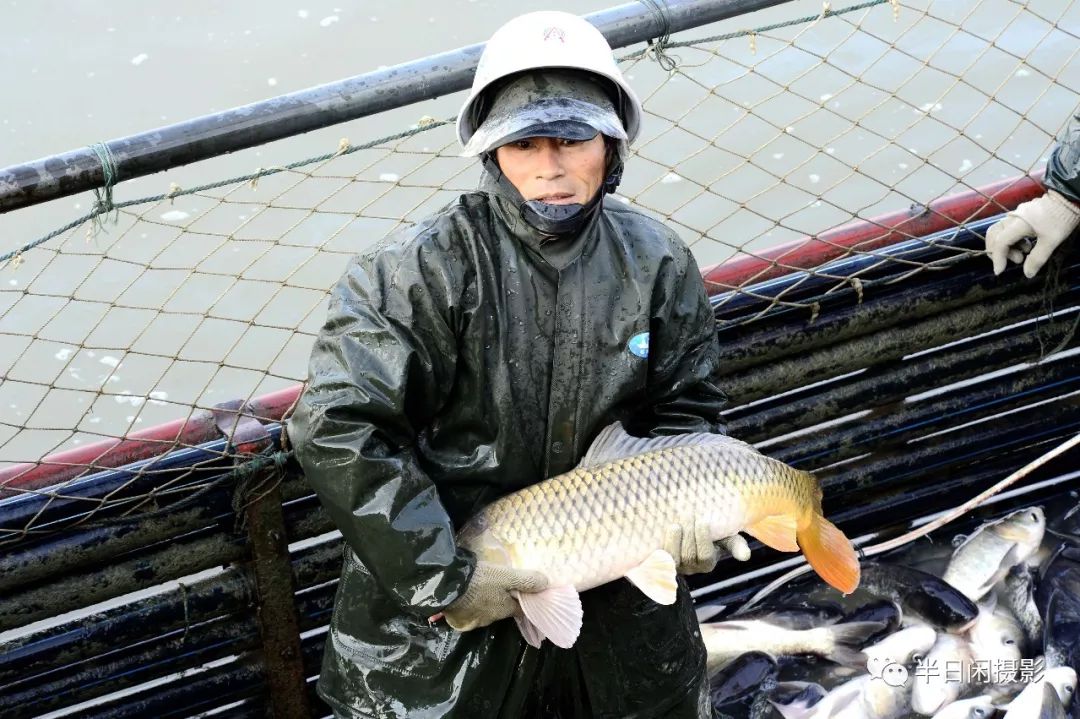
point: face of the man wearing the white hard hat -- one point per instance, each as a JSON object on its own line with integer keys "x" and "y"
{"x": 555, "y": 171}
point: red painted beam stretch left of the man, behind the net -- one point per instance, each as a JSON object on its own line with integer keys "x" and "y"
{"x": 138, "y": 446}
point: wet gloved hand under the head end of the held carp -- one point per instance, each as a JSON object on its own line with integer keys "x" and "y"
{"x": 488, "y": 600}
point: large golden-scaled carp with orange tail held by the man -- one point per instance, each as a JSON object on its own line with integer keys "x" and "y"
{"x": 613, "y": 515}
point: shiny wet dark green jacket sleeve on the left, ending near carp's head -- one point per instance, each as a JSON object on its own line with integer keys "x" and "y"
{"x": 380, "y": 371}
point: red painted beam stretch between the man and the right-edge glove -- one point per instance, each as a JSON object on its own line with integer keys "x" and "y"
{"x": 865, "y": 236}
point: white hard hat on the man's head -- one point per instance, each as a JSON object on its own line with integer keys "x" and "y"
{"x": 547, "y": 39}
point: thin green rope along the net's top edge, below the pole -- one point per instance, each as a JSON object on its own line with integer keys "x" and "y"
{"x": 105, "y": 202}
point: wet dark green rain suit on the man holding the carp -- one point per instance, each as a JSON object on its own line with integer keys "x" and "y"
{"x": 465, "y": 360}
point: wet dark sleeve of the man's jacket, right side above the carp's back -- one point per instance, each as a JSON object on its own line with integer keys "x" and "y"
{"x": 683, "y": 395}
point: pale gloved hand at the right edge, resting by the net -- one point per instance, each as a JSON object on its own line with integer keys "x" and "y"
{"x": 1050, "y": 220}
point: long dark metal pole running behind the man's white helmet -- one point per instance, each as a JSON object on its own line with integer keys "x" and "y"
{"x": 309, "y": 110}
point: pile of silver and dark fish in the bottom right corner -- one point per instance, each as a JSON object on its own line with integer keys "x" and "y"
{"x": 996, "y": 633}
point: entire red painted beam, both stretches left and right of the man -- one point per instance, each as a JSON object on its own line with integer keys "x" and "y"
{"x": 798, "y": 255}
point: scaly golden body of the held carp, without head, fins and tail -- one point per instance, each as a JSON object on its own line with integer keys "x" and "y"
{"x": 566, "y": 525}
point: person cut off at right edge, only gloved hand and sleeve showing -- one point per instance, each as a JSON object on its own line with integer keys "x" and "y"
{"x": 1050, "y": 220}
